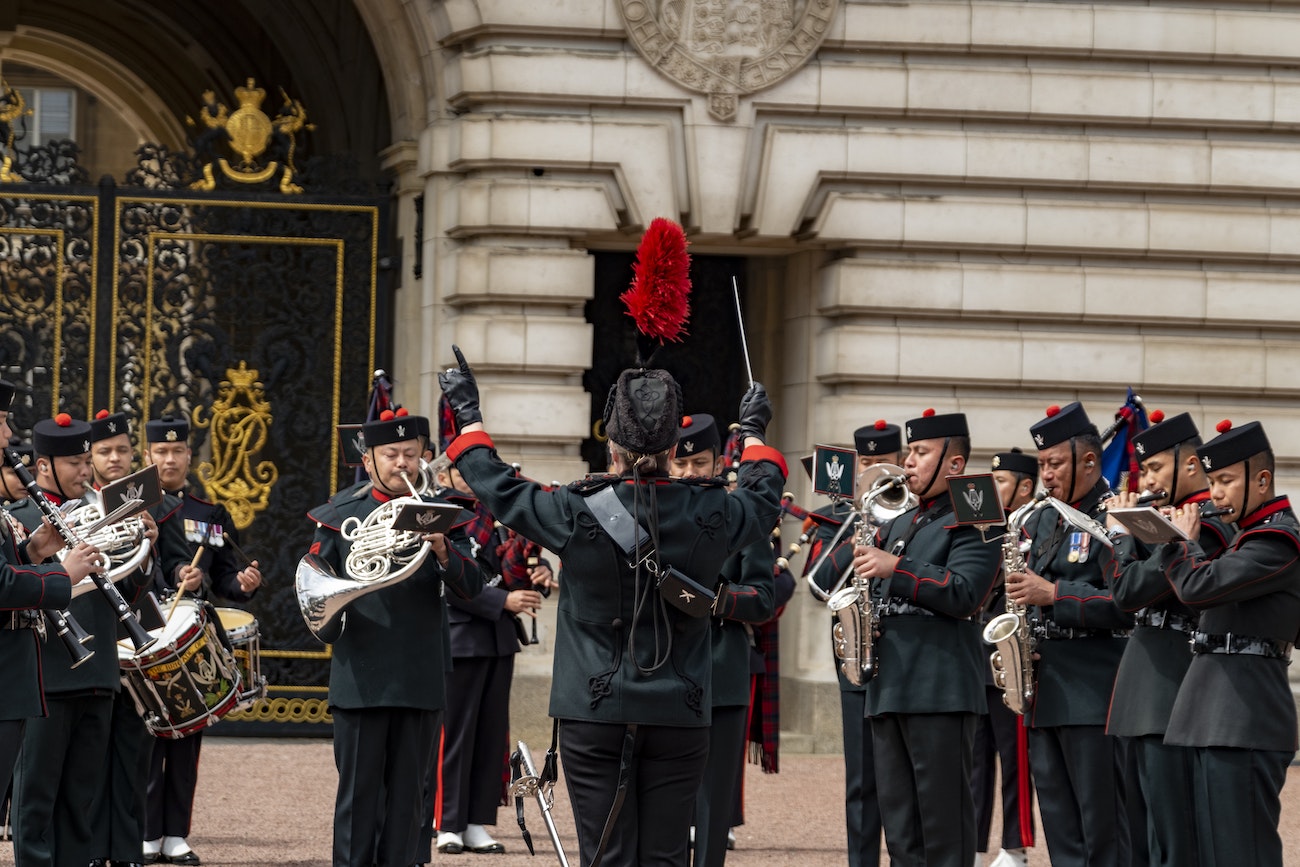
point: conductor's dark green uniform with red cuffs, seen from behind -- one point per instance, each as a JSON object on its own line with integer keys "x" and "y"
{"x": 630, "y": 686}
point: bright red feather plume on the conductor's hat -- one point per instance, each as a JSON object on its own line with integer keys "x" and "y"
{"x": 660, "y": 297}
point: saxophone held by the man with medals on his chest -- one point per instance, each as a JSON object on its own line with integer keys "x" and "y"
{"x": 1013, "y": 661}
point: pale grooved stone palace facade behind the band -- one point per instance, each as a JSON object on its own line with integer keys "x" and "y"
{"x": 974, "y": 206}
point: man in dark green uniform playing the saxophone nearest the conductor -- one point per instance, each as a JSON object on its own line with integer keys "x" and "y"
{"x": 929, "y": 580}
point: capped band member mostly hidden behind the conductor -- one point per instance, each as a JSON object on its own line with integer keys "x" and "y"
{"x": 751, "y": 587}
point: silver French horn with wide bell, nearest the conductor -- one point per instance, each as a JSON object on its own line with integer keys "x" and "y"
{"x": 380, "y": 557}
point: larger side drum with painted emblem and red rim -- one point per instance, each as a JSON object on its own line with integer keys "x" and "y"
{"x": 188, "y": 680}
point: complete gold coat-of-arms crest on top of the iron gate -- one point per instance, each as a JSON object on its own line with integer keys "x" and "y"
{"x": 250, "y": 133}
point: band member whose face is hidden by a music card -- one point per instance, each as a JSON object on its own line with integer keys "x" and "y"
{"x": 876, "y": 444}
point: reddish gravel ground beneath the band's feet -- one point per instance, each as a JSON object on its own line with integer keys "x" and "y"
{"x": 270, "y": 803}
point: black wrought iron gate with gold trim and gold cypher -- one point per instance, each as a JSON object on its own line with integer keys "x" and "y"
{"x": 258, "y": 317}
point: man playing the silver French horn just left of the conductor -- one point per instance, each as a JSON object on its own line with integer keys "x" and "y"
{"x": 387, "y": 687}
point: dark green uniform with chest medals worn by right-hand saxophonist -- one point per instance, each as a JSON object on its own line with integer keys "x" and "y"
{"x": 1077, "y": 766}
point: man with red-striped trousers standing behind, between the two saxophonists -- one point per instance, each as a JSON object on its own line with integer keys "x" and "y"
{"x": 999, "y": 734}
